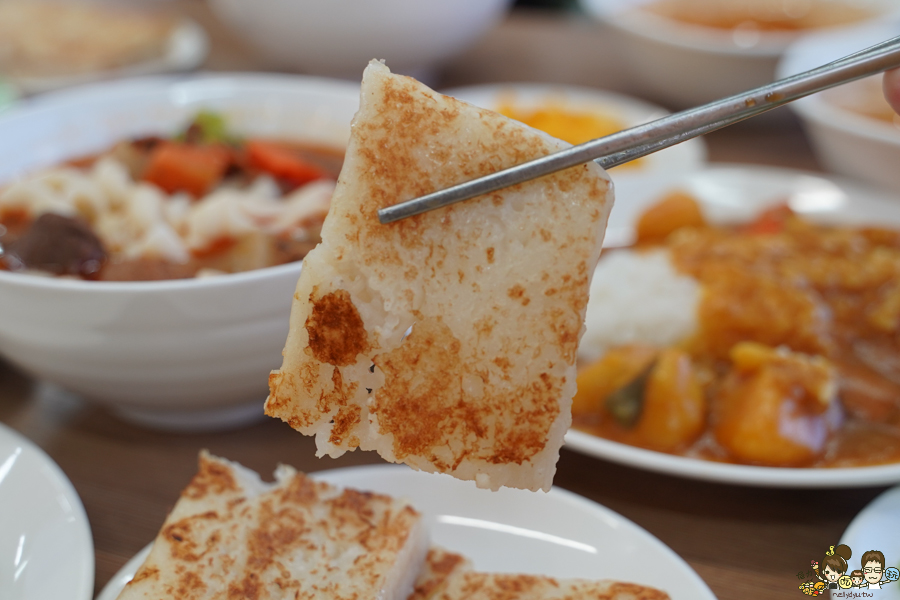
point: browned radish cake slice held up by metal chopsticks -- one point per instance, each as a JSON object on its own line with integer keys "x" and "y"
{"x": 491, "y": 292}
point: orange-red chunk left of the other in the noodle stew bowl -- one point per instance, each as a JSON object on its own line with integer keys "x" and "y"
{"x": 190, "y": 168}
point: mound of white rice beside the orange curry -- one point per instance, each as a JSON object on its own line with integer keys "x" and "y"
{"x": 638, "y": 297}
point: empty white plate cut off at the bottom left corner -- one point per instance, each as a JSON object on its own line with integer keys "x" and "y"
{"x": 46, "y": 549}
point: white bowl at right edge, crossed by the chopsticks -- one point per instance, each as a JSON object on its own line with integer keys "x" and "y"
{"x": 853, "y": 130}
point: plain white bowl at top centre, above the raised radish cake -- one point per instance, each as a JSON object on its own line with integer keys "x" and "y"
{"x": 339, "y": 37}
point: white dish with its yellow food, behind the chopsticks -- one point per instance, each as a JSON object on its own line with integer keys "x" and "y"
{"x": 586, "y": 113}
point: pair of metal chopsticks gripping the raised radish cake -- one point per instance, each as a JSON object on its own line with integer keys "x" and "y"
{"x": 627, "y": 145}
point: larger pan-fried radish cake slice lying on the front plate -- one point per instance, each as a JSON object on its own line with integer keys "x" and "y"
{"x": 233, "y": 536}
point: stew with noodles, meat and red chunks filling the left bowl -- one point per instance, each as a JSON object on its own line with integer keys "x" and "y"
{"x": 203, "y": 201}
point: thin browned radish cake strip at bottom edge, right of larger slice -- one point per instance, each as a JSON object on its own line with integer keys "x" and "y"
{"x": 490, "y": 586}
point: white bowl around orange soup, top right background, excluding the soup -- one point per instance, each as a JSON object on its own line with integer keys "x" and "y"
{"x": 687, "y": 65}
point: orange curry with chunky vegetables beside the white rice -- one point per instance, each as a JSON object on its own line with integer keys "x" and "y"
{"x": 795, "y": 360}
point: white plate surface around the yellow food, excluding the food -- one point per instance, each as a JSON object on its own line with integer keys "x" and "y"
{"x": 631, "y": 111}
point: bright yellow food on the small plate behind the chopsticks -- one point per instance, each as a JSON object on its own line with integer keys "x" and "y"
{"x": 571, "y": 124}
